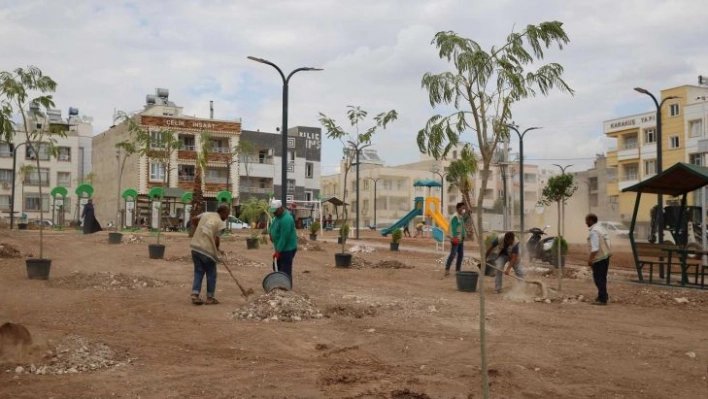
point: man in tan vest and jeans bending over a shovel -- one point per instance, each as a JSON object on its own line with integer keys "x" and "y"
{"x": 205, "y": 251}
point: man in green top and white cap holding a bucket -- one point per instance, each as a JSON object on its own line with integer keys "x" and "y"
{"x": 284, "y": 238}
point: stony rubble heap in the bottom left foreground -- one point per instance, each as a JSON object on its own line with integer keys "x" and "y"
{"x": 75, "y": 354}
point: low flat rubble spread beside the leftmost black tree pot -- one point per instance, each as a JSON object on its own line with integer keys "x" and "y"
{"x": 104, "y": 281}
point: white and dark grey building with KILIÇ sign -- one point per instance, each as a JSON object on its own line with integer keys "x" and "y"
{"x": 260, "y": 171}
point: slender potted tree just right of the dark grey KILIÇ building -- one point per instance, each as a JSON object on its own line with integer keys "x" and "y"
{"x": 354, "y": 141}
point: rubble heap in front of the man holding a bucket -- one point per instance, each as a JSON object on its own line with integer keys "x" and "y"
{"x": 279, "y": 305}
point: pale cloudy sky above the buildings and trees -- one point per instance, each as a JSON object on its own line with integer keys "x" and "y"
{"x": 107, "y": 55}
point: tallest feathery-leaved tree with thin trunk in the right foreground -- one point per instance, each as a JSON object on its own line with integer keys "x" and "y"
{"x": 482, "y": 88}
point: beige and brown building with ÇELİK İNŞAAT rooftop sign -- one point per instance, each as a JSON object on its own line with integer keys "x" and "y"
{"x": 142, "y": 172}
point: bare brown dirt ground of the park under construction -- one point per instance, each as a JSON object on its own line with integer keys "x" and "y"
{"x": 112, "y": 323}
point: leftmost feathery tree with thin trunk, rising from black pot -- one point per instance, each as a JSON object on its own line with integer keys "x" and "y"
{"x": 27, "y": 91}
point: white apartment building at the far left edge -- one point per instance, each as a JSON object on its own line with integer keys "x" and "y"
{"x": 68, "y": 169}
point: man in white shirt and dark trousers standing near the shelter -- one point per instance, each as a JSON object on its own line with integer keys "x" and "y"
{"x": 599, "y": 258}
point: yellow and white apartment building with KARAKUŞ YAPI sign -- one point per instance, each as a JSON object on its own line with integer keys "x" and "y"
{"x": 683, "y": 139}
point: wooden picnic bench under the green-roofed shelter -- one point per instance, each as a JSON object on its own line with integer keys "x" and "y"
{"x": 657, "y": 254}
